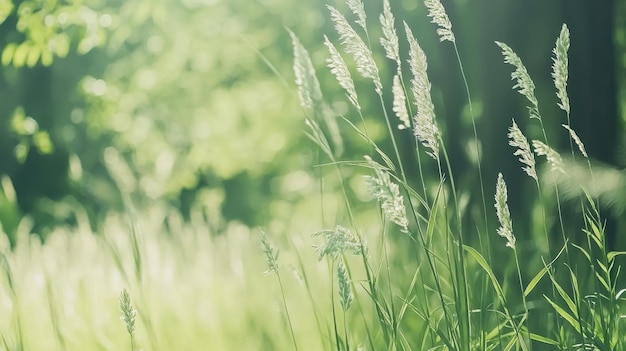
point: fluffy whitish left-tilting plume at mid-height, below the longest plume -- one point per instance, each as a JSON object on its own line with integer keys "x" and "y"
{"x": 388, "y": 194}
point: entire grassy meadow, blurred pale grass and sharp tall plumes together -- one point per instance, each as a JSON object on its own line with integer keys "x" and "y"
{"x": 390, "y": 252}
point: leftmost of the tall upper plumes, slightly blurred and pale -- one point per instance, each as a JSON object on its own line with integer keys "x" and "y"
{"x": 306, "y": 80}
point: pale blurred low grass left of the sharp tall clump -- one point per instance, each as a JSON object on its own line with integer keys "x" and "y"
{"x": 175, "y": 286}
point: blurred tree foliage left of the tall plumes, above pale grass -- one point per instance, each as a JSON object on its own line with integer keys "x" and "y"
{"x": 116, "y": 104}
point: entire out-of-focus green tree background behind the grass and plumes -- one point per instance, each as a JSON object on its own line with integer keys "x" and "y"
{"x": 113, "y": 106}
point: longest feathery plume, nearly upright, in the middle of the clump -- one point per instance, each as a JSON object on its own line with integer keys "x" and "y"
{"x": 425, "y": 129}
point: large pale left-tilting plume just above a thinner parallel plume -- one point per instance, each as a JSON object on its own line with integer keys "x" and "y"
{"x": 356, "y": 47}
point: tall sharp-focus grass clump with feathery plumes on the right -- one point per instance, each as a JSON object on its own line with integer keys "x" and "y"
{"x": 426, "y": 279}
